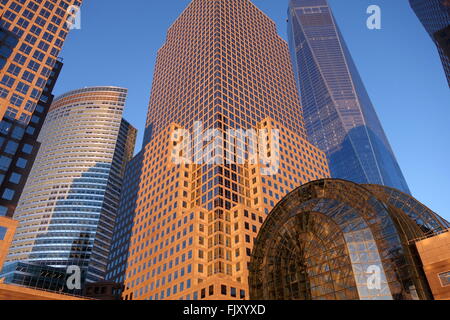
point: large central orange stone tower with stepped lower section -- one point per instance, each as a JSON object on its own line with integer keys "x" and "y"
{"x": 224, "y": 65}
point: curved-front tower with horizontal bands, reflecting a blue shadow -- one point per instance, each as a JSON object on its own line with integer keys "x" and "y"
{"x": 67, "y": 211}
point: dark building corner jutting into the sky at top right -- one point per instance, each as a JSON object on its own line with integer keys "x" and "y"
{"x": 435, "y": 17}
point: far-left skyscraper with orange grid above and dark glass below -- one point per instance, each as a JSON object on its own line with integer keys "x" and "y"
{"x": 32, "y": 34}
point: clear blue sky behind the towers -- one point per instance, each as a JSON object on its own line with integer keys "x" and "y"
{"x": 399, "y": 64}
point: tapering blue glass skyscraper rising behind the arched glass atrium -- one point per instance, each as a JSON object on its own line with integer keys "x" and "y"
{"x": 339, "y": 116}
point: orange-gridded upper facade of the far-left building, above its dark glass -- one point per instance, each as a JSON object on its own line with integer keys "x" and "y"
{"x": 42, "y": 27}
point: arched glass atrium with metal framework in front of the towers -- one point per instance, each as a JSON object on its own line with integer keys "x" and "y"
{"x": 337, "y": 240}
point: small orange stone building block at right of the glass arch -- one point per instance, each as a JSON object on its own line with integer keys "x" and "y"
{"x": 435, "y": 255}
